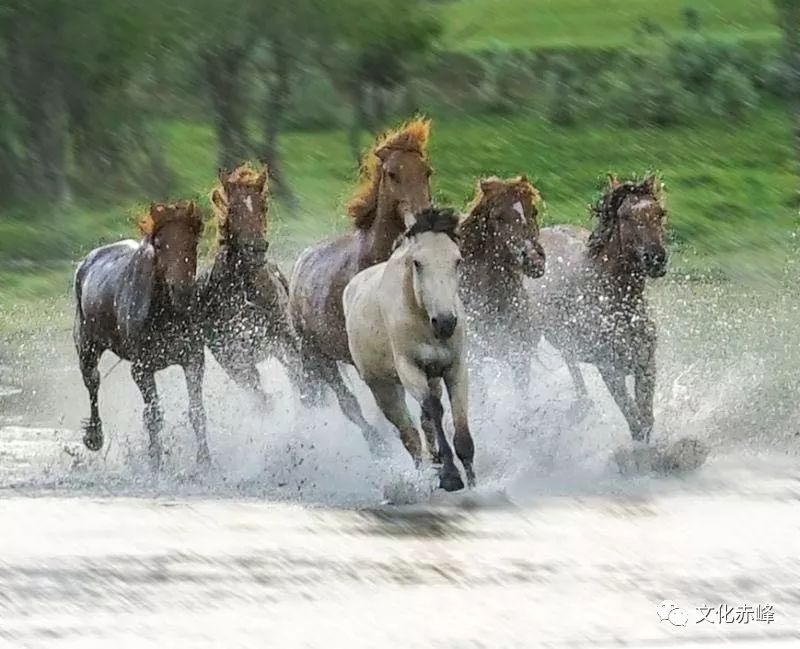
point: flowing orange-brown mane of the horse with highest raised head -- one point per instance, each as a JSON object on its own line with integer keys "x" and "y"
{"x": 412, "y": 137}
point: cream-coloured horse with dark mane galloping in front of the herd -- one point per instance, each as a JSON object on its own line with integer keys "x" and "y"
{"x": 405, "y": 330}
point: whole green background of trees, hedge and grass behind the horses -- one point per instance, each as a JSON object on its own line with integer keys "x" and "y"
{"x": 109, "y": 104}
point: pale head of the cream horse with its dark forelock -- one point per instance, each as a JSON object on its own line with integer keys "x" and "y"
{"x": 433, "y": 257}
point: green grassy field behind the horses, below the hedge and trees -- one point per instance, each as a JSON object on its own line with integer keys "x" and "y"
{"x": 730, "y": 190}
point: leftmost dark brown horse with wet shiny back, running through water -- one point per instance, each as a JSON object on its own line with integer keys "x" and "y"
{"x": 137, "y": 299}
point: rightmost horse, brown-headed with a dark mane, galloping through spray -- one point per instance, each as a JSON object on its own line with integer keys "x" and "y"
{"x": 592, "y": 303}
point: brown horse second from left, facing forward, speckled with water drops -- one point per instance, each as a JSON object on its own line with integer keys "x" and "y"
{"x": 244, "y": 298}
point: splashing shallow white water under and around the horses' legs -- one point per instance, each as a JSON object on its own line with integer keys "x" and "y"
{"x": 289, "y": 541}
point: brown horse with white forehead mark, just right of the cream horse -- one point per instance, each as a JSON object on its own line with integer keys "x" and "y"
{"x": 500, "y": 247}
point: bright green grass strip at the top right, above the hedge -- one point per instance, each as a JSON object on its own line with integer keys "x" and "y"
{"x": 537, "y": 24}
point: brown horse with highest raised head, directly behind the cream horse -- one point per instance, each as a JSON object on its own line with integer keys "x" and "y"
{"x": 394, "y": 187}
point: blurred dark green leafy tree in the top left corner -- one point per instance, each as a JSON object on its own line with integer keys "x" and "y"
{"x": 69, "y": 70}
